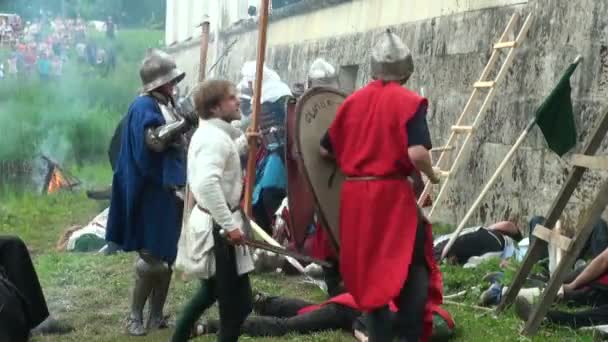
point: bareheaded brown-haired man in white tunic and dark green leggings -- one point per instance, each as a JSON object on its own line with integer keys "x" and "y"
{"x": 211, "y": 245}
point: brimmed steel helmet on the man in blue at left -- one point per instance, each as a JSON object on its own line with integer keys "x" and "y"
{"x": 158, "y": 69}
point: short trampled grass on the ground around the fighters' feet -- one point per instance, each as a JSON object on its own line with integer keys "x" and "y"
{"x": 93, "y": 292}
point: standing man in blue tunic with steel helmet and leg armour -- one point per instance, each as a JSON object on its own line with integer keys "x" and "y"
{"x": 146, "y": 210}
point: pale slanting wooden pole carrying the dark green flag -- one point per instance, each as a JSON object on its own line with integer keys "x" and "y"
{"x": 493, "y": 180}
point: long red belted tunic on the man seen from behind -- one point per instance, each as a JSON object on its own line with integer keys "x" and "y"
{"x": 378, "y": 217}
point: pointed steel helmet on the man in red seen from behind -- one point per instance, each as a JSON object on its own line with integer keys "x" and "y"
{"x": 391, "y": 59}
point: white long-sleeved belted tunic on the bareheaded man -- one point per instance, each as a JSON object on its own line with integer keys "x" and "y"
{"x": 215, "y": 177}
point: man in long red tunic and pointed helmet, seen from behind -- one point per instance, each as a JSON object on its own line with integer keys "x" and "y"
{"x": 378, "y": 138}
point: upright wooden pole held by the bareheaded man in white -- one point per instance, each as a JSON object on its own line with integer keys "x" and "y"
{"x": 257, "y": 95}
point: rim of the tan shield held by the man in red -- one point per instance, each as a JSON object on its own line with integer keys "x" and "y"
{"x": 303, "y": 99}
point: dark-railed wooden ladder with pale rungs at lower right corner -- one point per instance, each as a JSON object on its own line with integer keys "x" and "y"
{"x": 570, "y": 247}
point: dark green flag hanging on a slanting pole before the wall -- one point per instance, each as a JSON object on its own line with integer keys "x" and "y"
{"x": 555, "y": 116}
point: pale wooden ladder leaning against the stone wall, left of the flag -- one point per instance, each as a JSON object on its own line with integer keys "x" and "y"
{"x": 481, "y": 86}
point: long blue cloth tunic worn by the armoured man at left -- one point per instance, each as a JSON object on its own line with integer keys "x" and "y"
{"x": 144, "y": 213}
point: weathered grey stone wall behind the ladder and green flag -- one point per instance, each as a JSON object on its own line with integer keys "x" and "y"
{"x": 450, "y": 52}
